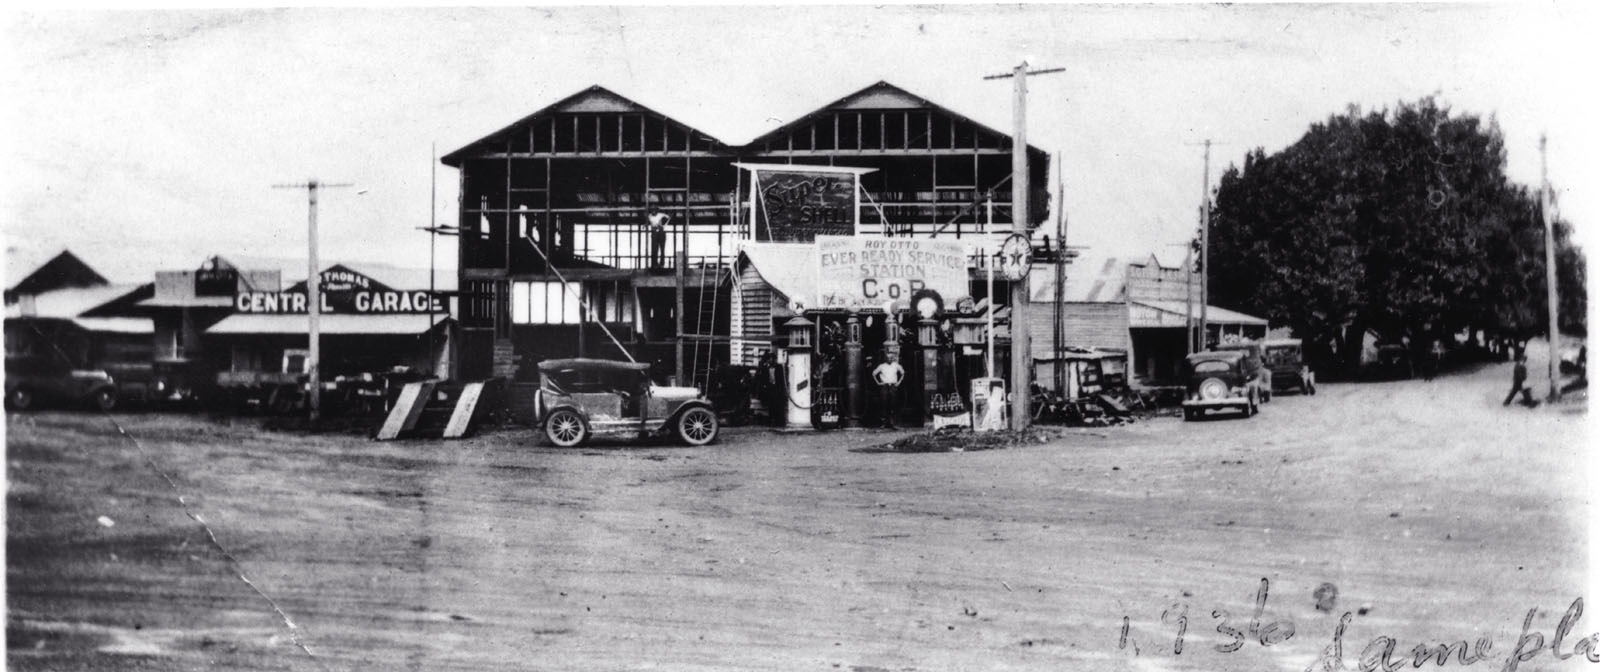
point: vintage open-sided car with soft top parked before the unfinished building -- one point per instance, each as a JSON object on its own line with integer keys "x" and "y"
{"x": 582, "y": 399}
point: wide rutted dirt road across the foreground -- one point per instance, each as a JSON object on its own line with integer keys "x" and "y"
{"x": 185, "y": 543}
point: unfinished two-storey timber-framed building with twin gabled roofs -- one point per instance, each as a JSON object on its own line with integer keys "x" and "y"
{"x": 556, "y": 239}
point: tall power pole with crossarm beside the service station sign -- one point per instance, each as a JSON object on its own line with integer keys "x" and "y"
{"x": 1020, "y": 217}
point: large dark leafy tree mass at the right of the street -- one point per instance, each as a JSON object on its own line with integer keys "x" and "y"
{"x": 1396, "y": 222}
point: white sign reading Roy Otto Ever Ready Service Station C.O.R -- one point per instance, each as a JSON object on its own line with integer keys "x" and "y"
{"x": 857, "y": 273}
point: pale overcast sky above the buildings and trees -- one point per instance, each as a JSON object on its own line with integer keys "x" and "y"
{"x": 151, "y": 140}
